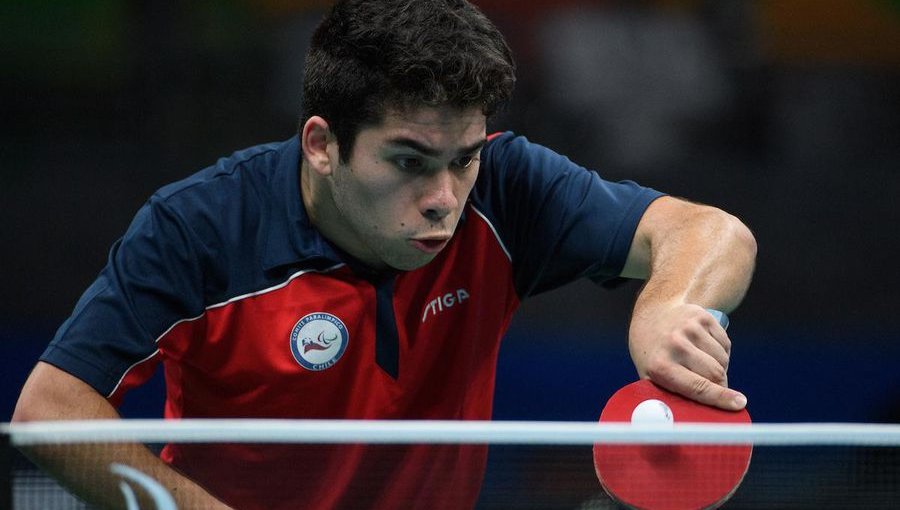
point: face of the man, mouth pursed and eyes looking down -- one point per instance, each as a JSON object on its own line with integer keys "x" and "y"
{"x": 400, "y": 197}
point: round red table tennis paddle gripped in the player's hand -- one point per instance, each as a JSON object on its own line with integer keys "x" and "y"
{"x": 669, "y": 477}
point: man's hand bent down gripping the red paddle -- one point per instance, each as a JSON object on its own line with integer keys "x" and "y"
{"x": 683, "y": 349}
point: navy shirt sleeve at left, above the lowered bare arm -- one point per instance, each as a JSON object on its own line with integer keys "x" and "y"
{"x": 151, "y": 280}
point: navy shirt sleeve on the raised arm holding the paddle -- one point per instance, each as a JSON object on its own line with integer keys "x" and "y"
{"x": 559, "y": 221}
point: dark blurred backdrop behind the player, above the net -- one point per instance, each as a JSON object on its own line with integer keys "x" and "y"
{"x": 785, "y": 113}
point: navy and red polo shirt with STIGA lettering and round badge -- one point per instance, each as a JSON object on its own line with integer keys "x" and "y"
{"x": 222, "y": 278}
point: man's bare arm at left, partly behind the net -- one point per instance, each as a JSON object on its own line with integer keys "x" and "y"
{"x": 52, "y": 394}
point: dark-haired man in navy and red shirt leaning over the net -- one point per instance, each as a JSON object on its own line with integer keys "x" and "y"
{"x": 368, "y": 268}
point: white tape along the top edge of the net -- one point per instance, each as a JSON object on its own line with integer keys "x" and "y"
{"x": 447, "y": 432}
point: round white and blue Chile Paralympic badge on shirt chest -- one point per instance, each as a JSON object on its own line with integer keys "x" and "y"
{"x": 318, "y": 341}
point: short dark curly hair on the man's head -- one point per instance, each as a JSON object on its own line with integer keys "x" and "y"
{"x": 370, "y": 55}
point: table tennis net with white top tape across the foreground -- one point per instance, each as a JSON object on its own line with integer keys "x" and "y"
{"x": 434, "y": 465}
